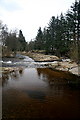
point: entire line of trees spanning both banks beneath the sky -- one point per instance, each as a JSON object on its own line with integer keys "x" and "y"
{"x": 61, "y": 37}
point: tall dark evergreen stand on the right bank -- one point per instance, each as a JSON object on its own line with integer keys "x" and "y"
{"x": 62, "y": 36}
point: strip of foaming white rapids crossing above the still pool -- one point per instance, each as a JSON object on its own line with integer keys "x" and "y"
{"x": 27, "y": 62}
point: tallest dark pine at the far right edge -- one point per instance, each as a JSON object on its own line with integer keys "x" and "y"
{"x": 73, "y": 21}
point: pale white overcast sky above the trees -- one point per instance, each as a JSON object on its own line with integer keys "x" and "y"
{"x": 29, "y": 15}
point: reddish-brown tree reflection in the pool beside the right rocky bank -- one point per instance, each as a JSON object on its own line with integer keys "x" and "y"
{"x": 54, "y": 78}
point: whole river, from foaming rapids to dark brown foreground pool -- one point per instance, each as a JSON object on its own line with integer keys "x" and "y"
{"x": 38, "y": 92}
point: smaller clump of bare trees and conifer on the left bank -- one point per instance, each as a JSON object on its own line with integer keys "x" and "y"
{"x": 12, "y": 40}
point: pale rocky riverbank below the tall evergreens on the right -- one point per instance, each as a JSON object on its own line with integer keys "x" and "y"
{"x": 57, "y": 63}
